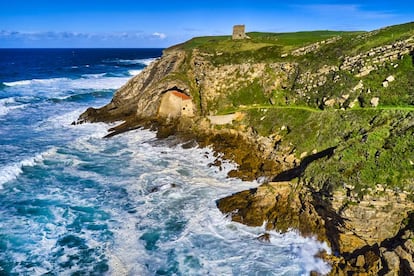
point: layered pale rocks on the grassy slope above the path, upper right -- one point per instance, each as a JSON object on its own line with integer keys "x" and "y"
{"x": 351, "y": 77}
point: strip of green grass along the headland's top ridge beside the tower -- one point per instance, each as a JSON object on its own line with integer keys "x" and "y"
{"x": 275, "y": 43}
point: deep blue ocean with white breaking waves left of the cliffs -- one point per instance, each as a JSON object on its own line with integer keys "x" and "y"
{"x": 74, "y": 203}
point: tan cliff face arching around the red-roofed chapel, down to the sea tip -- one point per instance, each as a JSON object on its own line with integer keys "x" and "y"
{"x": 210, "y": 86}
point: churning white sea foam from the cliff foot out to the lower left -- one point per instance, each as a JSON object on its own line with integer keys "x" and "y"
{"x": 170, "y": 191}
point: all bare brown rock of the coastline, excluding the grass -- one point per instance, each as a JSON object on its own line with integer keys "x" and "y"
{"x": 370, "y": 229}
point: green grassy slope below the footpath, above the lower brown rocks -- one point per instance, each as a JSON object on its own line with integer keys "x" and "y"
{"x": 374, "y": 146}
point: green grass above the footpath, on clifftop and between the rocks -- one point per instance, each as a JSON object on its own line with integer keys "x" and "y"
{"x": 269, "y": 47}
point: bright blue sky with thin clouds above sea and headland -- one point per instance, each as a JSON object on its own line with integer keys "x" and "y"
{"x": 134, "y": 23}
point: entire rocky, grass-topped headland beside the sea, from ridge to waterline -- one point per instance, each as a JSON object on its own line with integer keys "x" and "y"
{"x": 325, "y": 119}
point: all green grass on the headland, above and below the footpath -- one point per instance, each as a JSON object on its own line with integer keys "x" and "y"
{"x": 373, "y": 145}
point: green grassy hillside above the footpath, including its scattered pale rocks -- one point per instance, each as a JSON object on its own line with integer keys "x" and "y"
{"x": 311, "y": 53}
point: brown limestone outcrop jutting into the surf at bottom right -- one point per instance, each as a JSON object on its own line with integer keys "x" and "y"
{"x": 365, "y": 238}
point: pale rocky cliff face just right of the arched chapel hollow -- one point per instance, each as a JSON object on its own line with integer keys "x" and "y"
{"x": 220, "y": 85}
